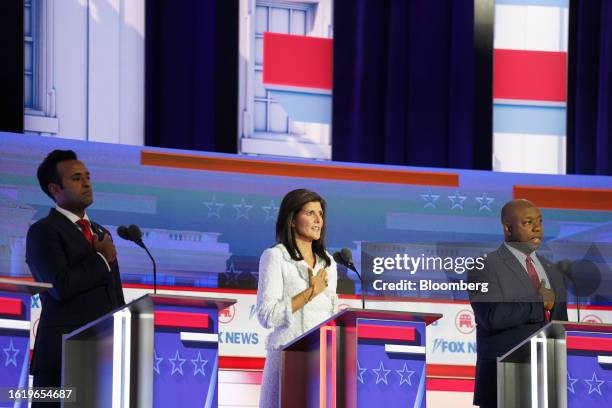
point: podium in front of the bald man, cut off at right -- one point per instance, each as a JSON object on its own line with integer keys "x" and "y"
{"x": 564, "y": 364}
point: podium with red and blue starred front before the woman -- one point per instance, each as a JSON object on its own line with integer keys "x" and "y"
{"x": 358, "y": 358}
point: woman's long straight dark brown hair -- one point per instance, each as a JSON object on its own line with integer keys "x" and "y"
{"x": 290, "y": 206}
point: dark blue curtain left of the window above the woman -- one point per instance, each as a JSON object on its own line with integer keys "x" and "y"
{"x": 191, "y": 49}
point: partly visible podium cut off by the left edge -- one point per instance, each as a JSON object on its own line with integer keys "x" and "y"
{"x": 15, "y": 330}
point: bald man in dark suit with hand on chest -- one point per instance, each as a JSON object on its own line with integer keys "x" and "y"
{"x": 525, "y": 291}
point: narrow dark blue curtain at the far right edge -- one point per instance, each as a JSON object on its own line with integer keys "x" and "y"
{"x": 589, "y": 104}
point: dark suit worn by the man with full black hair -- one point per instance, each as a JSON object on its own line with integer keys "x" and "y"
{"x": 83, "y": 288}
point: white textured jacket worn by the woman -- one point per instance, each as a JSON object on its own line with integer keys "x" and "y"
{"x": 280, "y": 279}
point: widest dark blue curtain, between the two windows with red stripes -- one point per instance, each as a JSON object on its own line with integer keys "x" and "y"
{"x": 405, "y": 90}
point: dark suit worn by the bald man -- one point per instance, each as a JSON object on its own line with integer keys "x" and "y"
{"x": 507, "y": 314}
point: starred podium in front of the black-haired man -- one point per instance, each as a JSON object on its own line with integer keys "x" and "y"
{"x": 157, "y": 351}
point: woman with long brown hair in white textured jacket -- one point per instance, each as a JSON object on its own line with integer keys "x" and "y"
{"x": 297, "y": 282}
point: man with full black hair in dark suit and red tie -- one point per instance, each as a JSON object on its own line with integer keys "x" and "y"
{"x": 73, "y": 254}
